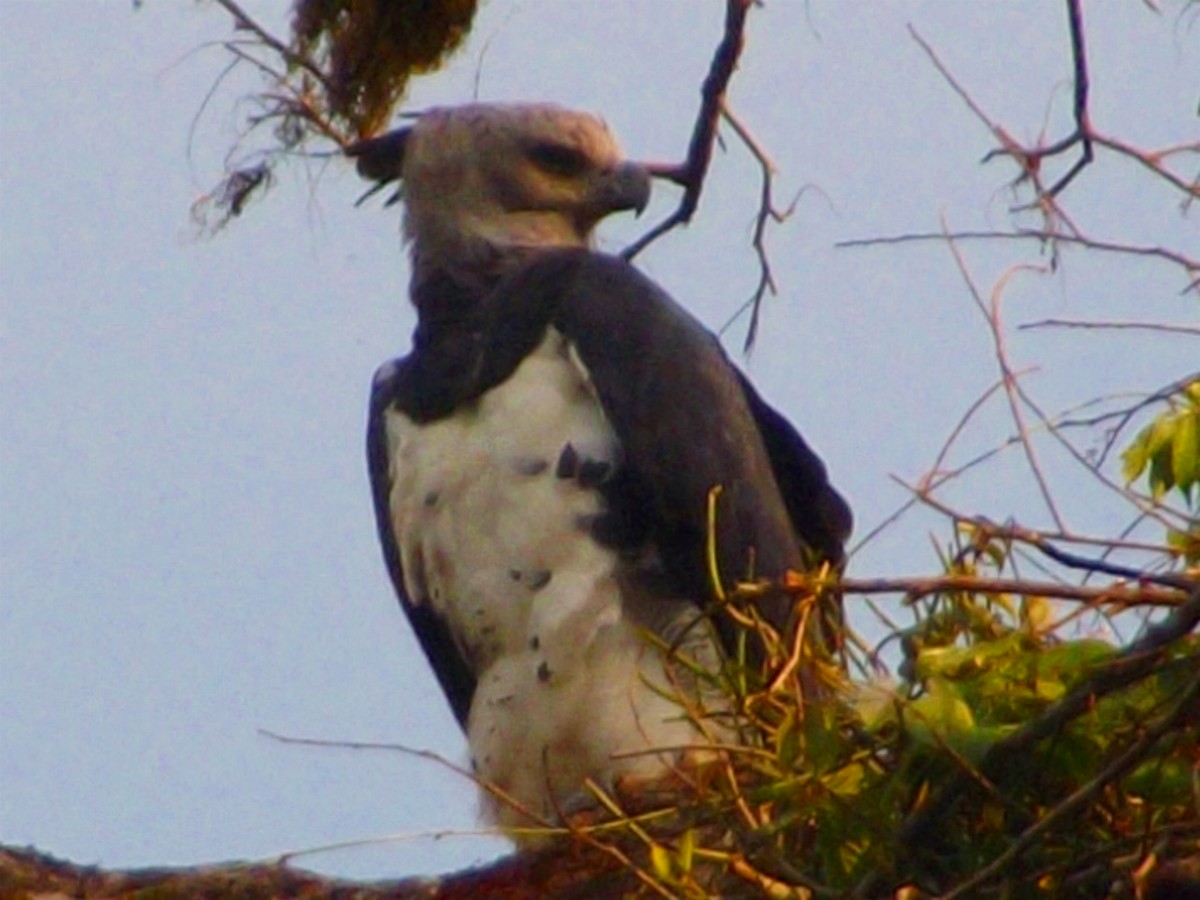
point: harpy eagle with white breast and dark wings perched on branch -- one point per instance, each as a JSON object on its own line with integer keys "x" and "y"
{"x": 543, "y": 464}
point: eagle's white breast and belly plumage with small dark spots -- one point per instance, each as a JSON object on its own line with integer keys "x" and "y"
{"x": 500, "y": 548}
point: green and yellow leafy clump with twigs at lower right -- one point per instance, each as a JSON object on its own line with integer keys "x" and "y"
{"x": 850, "y": 797}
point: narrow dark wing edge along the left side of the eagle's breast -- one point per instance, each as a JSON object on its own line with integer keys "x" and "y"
{"x": 392, "y": 383}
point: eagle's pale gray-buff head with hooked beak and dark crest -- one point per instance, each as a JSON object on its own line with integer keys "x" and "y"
{"x": 487, "y": 185}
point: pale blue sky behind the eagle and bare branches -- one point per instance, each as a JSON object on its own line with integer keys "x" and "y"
{"x": 188, "y": 551}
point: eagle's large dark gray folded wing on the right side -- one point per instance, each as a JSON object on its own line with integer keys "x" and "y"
{"x": 687, "y": 422}
